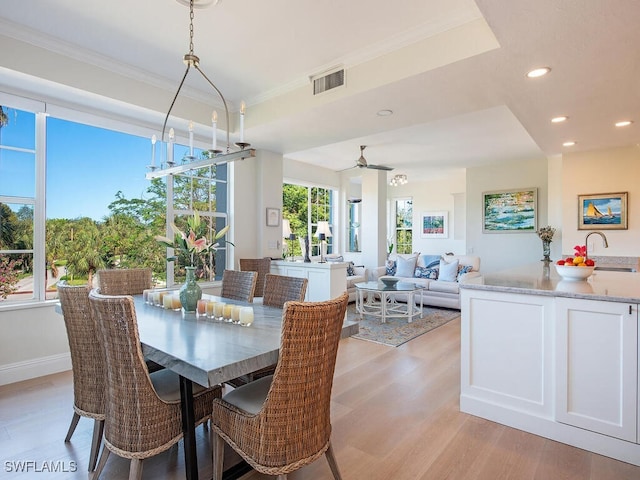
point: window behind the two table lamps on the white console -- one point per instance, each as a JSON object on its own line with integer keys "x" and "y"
{"x": 304, "y": 207}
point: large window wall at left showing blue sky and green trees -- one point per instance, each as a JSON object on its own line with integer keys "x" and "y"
{"x": 100, "y": 212}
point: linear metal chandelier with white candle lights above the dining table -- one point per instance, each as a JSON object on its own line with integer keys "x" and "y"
{"x": 215, "y": 156}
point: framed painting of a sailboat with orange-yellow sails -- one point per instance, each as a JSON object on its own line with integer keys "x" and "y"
{"x": 603, "y": 211}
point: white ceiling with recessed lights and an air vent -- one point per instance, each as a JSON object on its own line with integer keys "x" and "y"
{"x": 452, "y": 71}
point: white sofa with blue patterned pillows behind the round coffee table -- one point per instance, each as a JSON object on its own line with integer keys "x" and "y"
{"x": 438, "y": 291}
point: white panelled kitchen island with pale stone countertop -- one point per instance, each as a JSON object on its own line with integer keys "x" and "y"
{"x": 553, "y": 357}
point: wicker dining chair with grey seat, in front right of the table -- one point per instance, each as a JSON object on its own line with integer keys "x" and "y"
{"x": 281, "y": 423}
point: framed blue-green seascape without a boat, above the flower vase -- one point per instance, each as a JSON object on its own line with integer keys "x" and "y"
{"x": 510, "y": 211}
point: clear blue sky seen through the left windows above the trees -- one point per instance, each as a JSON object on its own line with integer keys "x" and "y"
{"x": 86, "y": 166}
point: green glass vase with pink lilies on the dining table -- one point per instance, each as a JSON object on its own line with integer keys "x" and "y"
{"x": 192, "y": 246}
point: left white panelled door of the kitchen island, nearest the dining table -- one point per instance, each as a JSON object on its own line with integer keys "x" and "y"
{"x": 507, "y": 353}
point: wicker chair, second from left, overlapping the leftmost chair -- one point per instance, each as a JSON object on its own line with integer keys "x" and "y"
{"x": 143, "y": 415}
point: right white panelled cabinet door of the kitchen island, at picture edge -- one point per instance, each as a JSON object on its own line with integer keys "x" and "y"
{"x": 597, "y": 366}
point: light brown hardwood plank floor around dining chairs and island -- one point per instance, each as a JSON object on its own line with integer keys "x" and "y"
{"x": 395, "y": 415}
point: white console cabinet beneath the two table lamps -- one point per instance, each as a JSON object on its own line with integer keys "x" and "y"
{"x": 326, "y": 280}
